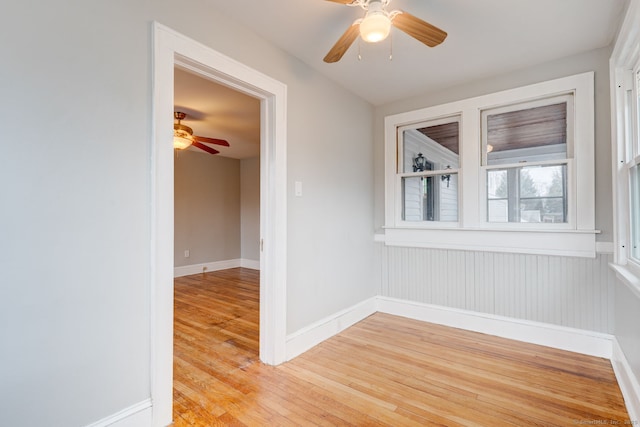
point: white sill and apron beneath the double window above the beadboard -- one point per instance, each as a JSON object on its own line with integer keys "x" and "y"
{"x": 538, "y": 242}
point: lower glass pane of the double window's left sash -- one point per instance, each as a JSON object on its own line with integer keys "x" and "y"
{"x": 430, "y": 198}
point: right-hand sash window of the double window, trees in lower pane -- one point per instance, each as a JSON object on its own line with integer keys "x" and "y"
{"x": 537, "y": 135}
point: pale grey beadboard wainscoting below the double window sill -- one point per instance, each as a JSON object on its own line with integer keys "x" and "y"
{"x": 565, "y": 291}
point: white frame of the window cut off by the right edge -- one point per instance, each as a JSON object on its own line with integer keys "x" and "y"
{"x": 624, "y": 63}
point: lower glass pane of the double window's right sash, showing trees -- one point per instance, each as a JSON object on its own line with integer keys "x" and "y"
{"x": 527, "y": 194}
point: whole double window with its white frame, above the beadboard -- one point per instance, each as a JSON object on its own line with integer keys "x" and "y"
{"x": 510, "y": 171}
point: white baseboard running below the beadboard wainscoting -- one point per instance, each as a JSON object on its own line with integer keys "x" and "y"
{"x": 570, "y": 339}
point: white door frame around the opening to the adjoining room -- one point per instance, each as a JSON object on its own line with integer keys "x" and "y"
{"x": 172, "y": 49}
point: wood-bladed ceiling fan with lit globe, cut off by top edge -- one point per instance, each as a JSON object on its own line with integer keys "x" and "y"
{"x": 376, "y": 25}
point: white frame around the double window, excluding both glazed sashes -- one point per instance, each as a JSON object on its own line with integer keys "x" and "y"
{"x": 472, "y": 231}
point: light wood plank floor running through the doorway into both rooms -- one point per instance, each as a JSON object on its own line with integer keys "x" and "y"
{"x": 385, "y": 370}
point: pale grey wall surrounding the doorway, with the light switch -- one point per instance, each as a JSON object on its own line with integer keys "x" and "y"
{"x": 75, "y": 223}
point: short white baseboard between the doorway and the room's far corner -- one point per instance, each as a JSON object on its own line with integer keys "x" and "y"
{"x": 312, "y": 335}
